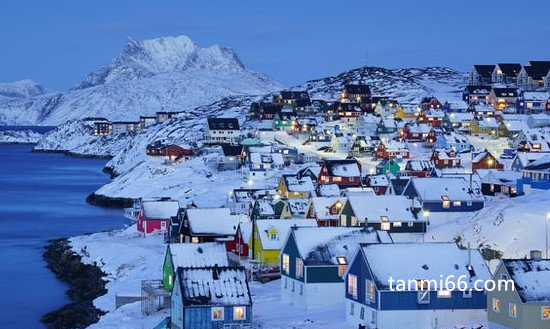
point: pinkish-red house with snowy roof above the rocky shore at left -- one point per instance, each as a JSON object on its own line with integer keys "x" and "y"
{"x": 154, "y": 216}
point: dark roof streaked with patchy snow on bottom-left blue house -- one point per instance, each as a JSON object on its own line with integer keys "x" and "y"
{"x": 215, "y": 286}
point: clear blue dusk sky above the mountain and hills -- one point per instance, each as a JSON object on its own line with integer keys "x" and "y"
{"x": 56, "y": 43}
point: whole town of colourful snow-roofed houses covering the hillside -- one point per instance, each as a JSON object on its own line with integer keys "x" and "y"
{"x": 330, "y": 189}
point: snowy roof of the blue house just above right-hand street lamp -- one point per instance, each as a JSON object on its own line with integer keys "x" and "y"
{"x": 455, "y": 189}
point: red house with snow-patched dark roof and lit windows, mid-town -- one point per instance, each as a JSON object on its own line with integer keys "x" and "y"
{"x": 344, "y": 173}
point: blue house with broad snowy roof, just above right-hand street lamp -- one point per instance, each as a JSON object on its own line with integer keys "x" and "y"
{"x": 445, "y": 194}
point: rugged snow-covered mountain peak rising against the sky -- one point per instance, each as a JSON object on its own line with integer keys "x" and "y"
{"x": 147, "y": 58}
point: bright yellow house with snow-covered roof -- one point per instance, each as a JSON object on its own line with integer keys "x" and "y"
{"x": 269, "y": 236}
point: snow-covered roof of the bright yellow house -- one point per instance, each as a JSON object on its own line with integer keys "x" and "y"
{"x": 282, "y": 227}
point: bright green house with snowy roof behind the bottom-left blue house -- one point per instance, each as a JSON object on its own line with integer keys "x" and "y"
{"x": 191, "y": 255}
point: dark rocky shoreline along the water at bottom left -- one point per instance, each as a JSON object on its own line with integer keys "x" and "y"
{"x": 86, "y": 283}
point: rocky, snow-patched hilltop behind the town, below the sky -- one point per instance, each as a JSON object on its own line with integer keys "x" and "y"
{"x": 407, "y": 85}
